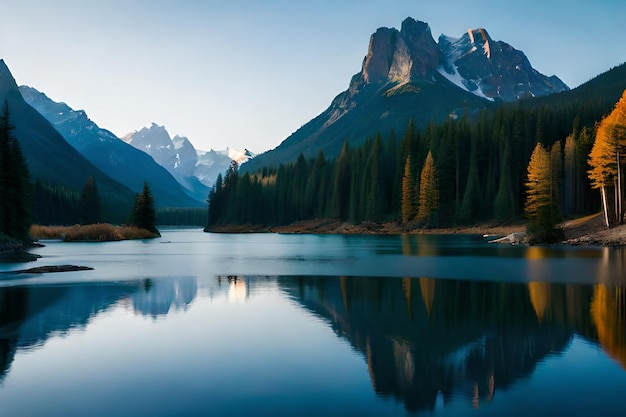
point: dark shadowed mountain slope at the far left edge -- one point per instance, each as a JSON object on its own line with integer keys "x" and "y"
{"x": 49, "y": 157}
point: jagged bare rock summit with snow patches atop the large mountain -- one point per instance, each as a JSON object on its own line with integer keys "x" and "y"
{"x": 474, "y": 62}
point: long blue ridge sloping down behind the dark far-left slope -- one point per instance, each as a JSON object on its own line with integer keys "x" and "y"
{"x": 102, "y": 148}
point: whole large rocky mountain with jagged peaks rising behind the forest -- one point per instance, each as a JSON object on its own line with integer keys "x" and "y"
{"x": 407, "y": 74}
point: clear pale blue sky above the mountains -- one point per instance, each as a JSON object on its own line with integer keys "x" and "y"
{"x": 248, "y": 73}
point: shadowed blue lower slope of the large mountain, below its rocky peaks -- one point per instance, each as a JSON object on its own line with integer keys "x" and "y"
{"x": 374, "y": 109}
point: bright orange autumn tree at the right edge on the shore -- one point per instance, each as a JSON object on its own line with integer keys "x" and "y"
{"x": 607, "y": 162}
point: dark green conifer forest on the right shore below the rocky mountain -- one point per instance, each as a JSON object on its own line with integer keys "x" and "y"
{"x": 479, "y": 173}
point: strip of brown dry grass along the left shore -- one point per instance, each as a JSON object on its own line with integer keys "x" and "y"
{"x": 102, "y": 232}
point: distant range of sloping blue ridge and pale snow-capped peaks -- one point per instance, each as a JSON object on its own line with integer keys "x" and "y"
{"x": 179, "y": 176}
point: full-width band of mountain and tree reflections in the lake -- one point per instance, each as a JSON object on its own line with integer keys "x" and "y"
{"x": 426, "y": 342}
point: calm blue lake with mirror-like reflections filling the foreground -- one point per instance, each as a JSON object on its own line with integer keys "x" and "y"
{"x": 197, "y": 324}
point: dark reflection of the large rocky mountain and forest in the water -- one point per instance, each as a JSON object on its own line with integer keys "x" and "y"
{"x": 422, "y": 336}
